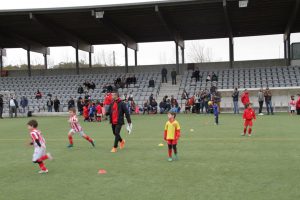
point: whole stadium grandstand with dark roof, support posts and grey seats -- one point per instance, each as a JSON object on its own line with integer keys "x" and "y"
{"x": 129, "y": 24}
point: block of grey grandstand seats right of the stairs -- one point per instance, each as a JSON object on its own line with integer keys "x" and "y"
{"x": 243, "y": 78}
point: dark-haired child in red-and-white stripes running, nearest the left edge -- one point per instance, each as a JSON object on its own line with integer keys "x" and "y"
{"x": 39, "y": 144}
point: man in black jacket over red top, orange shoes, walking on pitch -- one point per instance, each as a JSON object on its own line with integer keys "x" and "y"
{"x": 116, "y": 111}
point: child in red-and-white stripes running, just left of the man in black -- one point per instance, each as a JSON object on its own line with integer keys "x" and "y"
{"x": 76, "y": 128}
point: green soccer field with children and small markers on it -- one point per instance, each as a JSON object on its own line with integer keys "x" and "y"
{"x": 215, "y": 162}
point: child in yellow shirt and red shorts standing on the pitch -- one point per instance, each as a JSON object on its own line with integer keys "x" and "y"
{"x": 171, "y": 135}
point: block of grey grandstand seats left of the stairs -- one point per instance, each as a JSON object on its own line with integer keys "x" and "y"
{"x": 65, "y": 86}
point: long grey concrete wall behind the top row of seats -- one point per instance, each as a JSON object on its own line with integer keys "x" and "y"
{"x": 151, "y": 68}
